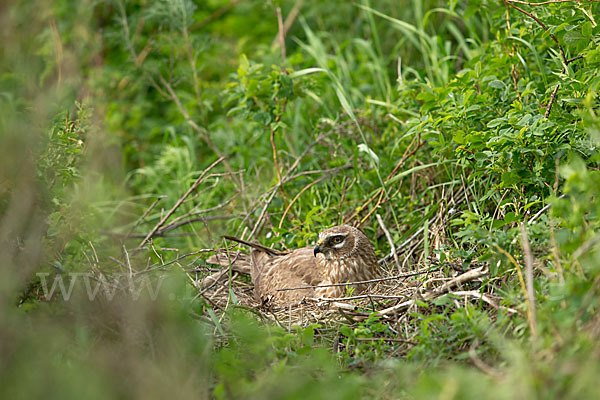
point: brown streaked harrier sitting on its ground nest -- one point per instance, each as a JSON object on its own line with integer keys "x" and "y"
{"x": 342, "y": 254}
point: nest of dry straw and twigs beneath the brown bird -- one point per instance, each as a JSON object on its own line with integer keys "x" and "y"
{"x": 391, "y": 297}
